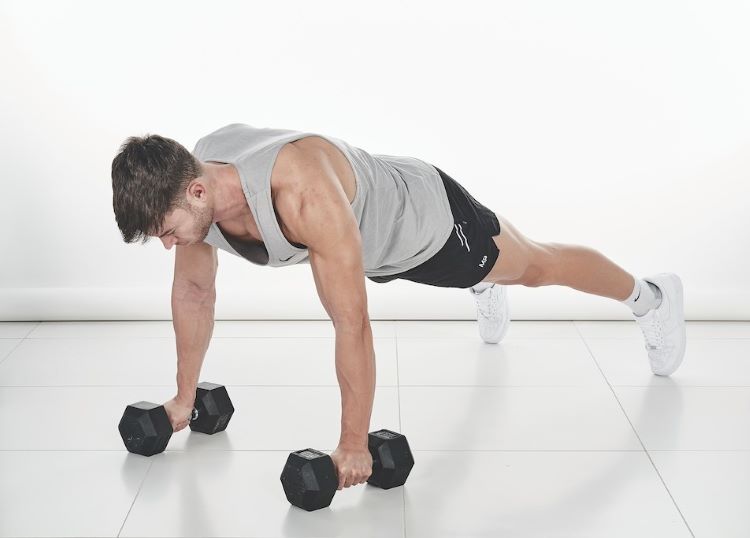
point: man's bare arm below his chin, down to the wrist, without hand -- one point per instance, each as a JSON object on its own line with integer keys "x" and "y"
{"x": 193, "y": 300}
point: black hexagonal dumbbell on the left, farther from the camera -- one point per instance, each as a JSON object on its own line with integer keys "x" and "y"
{"x": 145, "y": 427}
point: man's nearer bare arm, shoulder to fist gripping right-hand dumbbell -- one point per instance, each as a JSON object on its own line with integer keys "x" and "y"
{"x": 326, "y": 224}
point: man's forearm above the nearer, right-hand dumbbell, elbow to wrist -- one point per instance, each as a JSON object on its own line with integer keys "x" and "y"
{"x": 355, "y": 370}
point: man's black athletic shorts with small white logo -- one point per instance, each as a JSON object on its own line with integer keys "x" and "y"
{"x": 469, "y": 253}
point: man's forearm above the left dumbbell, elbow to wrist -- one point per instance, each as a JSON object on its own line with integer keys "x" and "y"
{"x": 193, "y": 321}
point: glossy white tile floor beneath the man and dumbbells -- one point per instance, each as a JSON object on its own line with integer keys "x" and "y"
{"x": 560, "y": 430}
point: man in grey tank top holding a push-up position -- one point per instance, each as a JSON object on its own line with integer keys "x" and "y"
{"x": 279, "y": 197}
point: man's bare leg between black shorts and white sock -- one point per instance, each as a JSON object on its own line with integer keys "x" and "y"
{"x": 534, "y": 264}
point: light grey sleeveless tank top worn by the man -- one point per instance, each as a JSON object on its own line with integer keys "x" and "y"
{"x": 400, "y": 203}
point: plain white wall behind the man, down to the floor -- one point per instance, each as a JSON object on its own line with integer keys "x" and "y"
{"x": 623, "y": 126}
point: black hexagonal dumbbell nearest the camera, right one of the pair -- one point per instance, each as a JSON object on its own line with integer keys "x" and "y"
{"x": 309, "y": 477}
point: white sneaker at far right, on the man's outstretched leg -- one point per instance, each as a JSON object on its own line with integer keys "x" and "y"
{"x": 664, "y": 327}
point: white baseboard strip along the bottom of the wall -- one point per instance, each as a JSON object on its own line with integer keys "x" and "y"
{"x": 395, "y": 300}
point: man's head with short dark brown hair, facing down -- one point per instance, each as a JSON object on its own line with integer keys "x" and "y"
{"x": 158, "y": 190}
